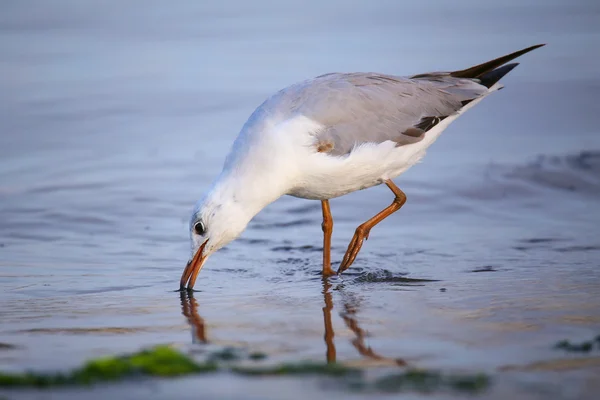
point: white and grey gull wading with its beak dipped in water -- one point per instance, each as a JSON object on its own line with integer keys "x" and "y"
{"x": 329, "y": 136}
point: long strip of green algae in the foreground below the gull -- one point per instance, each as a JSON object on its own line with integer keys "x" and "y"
{"x": 166, "y": 362}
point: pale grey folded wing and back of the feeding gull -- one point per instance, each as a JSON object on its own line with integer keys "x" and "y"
{"x": 357, "y": 108}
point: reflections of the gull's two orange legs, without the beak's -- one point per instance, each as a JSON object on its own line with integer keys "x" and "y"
{"x": 349, "y": 316}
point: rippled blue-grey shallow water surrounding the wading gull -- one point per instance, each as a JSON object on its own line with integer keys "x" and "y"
{"x": 114, "y": 119}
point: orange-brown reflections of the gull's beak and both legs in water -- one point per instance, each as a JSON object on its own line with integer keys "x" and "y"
{"x": 189, "y": 308}
